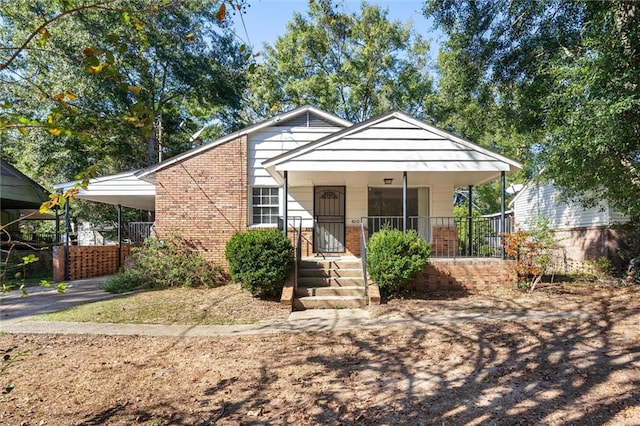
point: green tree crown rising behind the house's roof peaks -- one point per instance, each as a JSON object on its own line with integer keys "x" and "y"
{"x": 356, "y": 65}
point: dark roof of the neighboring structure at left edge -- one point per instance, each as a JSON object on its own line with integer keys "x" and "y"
{"x": 18, "y": 191}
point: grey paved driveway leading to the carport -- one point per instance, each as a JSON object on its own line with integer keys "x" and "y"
{"x": 40, "y": 300}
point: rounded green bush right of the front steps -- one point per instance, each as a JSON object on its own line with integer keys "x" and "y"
{"x": 394, "y": 257}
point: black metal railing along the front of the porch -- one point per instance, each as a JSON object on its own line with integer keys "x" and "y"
{"x": 450, "y": 236}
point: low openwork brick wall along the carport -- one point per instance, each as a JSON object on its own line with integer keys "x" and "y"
{"x": 88, "y": 261}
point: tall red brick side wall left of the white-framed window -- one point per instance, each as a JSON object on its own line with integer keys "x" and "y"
{"x": 204, "y": 198}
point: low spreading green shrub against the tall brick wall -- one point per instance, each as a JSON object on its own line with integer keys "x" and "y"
{"x": 165, "y": 263}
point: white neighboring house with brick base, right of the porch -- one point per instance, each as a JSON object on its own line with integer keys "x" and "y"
{"x": 583, "y": 233}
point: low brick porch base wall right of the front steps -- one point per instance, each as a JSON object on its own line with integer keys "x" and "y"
{"x": 469, "y": 275}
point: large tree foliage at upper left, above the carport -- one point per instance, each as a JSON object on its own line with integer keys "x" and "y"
{"x": 93, "y": 83}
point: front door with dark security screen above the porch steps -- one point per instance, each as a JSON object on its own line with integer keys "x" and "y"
{"x": 329, "y": 223}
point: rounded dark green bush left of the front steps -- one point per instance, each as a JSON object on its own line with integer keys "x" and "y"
{"x": 260, "y": 260}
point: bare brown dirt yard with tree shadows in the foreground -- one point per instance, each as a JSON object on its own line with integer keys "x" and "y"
{"x": 568, "y": 355}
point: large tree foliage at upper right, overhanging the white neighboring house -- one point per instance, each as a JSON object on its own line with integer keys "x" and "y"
{"x": 556, "y": 81}
